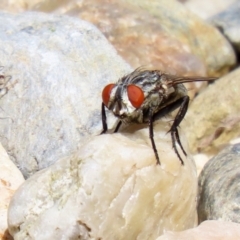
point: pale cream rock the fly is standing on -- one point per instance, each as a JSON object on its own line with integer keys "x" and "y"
{"x": 111, "y": 189}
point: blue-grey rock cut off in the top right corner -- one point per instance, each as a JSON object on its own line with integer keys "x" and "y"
{"x": 228, "y": 22}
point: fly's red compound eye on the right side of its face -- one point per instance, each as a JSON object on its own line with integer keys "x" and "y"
{"x": 135, "y": 95}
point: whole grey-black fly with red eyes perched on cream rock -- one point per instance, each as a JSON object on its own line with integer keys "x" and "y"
{"x": 145, "y": 96}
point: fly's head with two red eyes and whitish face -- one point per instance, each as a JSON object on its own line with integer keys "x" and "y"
{"x": 124, "y": 101}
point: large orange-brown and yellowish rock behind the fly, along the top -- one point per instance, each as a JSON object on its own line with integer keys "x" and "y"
{"x": 145, "y": 35}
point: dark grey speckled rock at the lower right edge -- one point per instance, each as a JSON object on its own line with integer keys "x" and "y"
{"x": 219, "y": 187}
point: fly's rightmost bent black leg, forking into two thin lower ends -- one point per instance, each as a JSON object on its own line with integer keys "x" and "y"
{"x": 174, "y": 131}
